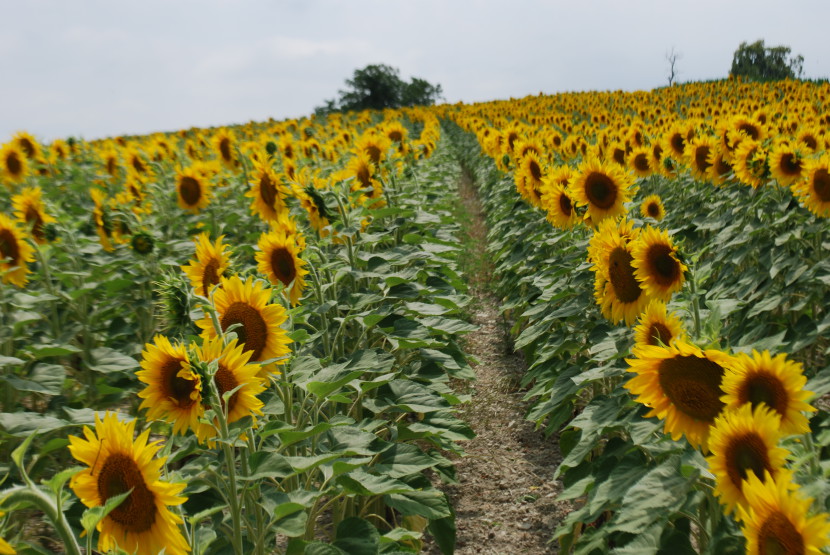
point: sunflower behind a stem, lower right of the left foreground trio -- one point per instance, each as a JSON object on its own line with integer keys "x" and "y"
{"x": 233, "y": 372}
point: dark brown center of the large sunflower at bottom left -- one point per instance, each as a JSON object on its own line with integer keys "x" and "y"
{"x": 119, "y": 474}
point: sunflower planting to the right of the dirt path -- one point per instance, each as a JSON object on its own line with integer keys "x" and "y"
{"x": 695, "y": 217}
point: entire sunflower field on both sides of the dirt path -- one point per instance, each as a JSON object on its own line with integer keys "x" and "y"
{"x": 250, "y": 339}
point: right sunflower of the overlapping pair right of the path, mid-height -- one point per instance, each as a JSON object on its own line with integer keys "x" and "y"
{"x": 657, "y": 265}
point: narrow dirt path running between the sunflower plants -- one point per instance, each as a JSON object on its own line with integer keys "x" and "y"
{"x": 506, "y": 500}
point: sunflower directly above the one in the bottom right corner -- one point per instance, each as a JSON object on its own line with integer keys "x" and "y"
{"x": 743, "y": 441}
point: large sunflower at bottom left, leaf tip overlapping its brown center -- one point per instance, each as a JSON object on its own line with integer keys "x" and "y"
{"x": 143, "y": 523}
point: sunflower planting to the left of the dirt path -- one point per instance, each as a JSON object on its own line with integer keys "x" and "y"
{"x": 243, "y": 337}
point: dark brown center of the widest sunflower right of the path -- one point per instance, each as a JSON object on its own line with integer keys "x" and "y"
{"x": 693, "y": 385}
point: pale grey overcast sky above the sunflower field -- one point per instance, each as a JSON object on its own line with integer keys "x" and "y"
{"x": 103, "y": 68}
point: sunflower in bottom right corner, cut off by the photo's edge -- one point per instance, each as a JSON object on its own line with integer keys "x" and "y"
{"x": 776, "y": 520}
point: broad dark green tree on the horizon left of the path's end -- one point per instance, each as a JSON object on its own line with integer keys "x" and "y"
{"x": 379, "y": 86}
